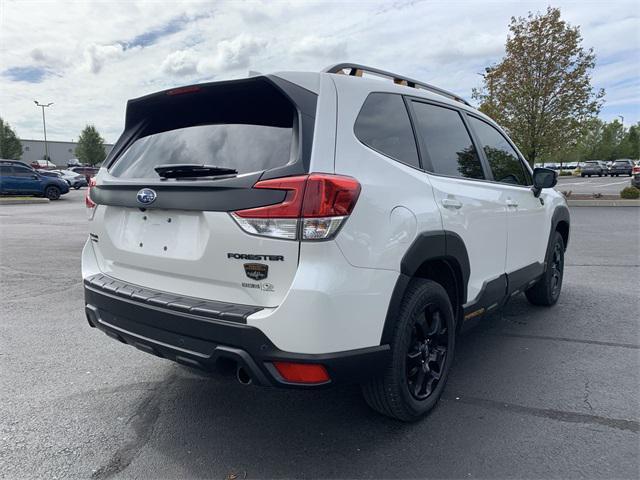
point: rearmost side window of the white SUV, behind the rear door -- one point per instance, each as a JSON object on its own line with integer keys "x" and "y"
{"x": 383, "y": 124}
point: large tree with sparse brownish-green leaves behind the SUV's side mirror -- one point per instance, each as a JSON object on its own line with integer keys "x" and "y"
{"x": 541, "y": 90}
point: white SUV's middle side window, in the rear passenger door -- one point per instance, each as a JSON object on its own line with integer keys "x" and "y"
{"x": 447, "y": 141}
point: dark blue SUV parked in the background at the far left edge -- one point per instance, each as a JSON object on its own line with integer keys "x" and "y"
{"x": 17, "y": 178}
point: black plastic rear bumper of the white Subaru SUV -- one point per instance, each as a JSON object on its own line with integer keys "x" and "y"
{"x": 207, "y": 335}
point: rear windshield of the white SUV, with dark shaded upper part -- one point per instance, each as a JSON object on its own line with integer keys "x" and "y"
{"x": 247, "y": 125}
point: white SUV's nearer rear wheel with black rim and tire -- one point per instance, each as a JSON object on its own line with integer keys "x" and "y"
{"x": 423, "y": 346}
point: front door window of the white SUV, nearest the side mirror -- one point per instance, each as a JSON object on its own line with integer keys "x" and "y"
{"x": 503, "y": 159}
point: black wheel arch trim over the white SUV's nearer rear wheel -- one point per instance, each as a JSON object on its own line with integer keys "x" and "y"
{"x": 438, "y": 245}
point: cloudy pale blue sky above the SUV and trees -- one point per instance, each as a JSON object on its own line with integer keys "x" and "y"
{"x": 90, "y": 57}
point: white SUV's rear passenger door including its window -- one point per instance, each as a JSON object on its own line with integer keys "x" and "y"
{"x": 470, "y": 206}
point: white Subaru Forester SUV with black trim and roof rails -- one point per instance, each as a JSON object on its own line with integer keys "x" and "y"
{"x": 308, "y": 229}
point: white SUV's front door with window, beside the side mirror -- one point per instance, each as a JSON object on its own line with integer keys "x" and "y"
{"x": 527, "y": 223}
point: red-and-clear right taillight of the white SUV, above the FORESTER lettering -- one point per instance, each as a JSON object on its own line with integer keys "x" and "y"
{"x": 314, "y": 208}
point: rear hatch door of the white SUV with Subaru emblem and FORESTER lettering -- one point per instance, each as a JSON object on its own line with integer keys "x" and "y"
{"x": 176, "y": 234}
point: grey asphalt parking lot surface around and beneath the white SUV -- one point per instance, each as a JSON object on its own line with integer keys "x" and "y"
{"x": 534, "y": 392}
